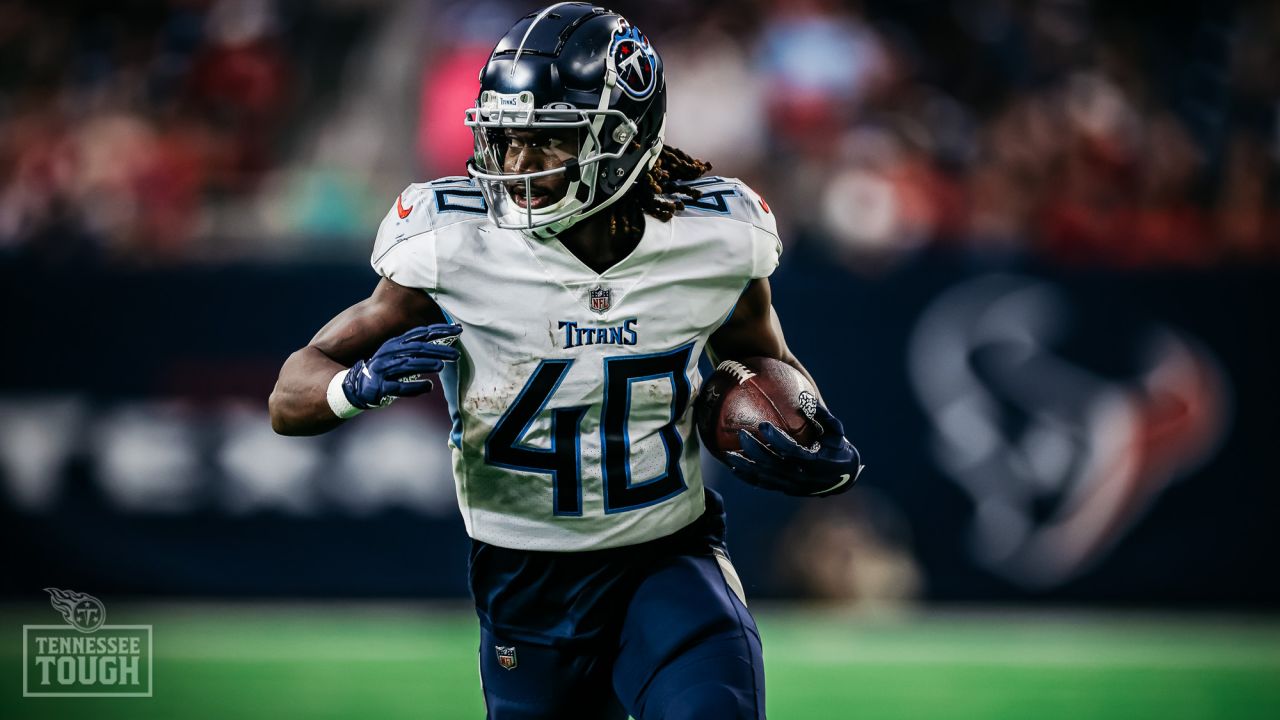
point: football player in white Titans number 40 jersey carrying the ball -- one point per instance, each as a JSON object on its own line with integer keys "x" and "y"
{"x": 565, "y": 291}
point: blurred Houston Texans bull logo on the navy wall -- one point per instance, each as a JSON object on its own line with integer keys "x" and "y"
{"x": 1059, "y": 459}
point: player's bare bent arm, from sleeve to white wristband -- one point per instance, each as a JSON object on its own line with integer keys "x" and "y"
{"x": 300, "y": 404}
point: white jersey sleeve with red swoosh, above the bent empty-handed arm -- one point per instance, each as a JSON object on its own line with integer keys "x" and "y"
{"x": 405, "y": 248}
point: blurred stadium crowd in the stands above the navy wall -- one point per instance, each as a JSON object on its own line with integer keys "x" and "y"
{"x": 189, "y": 131}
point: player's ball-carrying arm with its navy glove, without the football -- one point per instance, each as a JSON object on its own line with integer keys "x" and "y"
{"x": 775, "y": 461}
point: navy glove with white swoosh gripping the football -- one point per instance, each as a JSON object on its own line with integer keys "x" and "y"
{"x": 783, "y": 466}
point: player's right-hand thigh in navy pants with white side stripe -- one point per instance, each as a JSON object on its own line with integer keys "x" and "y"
{"x": 689, "y": 648}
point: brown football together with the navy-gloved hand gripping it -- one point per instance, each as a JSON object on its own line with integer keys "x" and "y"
{"x": 762, "y": 418}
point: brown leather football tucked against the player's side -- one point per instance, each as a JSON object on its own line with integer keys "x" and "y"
{"x": 742, "y": 395}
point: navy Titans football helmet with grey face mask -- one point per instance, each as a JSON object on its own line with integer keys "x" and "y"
{"x": 570, "y": 70}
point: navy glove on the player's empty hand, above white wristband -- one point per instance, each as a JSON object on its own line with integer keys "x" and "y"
{"x": 401, "y": 366}
